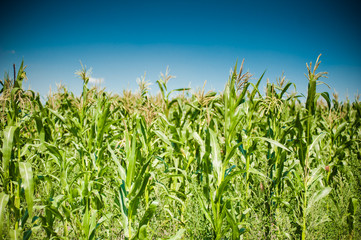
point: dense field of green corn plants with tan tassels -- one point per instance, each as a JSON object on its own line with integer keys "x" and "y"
{"x": 239, "y": 164}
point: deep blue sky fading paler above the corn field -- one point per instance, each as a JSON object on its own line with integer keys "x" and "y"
{"x": 198, "y": 40}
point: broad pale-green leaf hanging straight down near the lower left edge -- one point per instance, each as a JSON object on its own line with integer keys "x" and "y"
{"x": 28, "y": 183}
